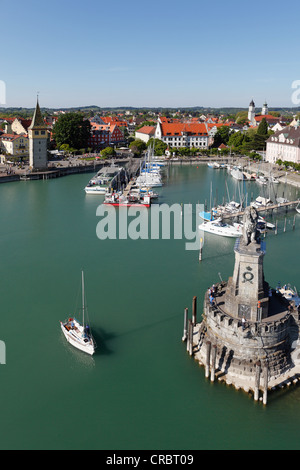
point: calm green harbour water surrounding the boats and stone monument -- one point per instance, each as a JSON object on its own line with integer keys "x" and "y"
{"x": 141, "y": 390}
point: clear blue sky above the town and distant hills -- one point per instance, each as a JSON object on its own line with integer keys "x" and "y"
{"x": 166, "y": 53}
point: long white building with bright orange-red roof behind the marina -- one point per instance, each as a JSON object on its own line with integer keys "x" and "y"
{"x": 182, "y": 134}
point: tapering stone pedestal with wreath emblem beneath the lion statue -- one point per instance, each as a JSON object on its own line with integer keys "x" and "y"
{"x": 247, "y": 292}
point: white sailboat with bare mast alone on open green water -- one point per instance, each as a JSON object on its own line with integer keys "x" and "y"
{"x": 77, "y": 334}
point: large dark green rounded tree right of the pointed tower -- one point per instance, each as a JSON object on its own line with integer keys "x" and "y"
{"x": 73, "y": 130}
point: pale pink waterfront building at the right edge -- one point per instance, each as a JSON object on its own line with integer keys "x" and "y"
{"x": 284, "y": 145}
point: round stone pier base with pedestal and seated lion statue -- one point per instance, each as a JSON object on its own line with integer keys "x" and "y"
{"x": 249, "y": 333}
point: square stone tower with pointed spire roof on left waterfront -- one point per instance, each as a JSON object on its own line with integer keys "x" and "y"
{"x": 38, "y": 137}
